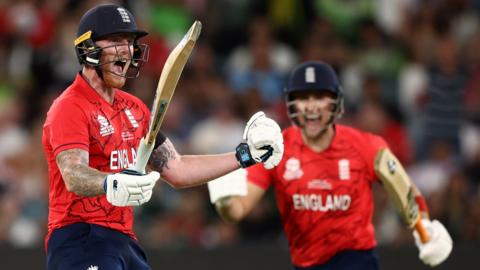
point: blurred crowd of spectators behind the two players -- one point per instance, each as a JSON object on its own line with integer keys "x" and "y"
{"x": 410, "y": 70}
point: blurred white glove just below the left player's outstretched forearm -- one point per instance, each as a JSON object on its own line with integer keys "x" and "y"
{"x": 231, "y": 184}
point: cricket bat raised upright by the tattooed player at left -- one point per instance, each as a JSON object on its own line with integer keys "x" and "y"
{"x": 166, "y": 87}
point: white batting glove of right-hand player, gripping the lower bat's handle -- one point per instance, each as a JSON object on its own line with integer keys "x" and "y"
{"x": 438, "y": 248}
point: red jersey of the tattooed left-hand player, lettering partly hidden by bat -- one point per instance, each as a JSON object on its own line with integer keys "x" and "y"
{"x": 81, "y": 118}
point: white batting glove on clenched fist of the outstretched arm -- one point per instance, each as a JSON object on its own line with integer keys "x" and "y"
{"x": 264, "y": 139}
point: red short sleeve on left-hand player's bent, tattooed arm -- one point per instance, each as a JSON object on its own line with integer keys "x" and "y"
{"x": 69, "y": 128}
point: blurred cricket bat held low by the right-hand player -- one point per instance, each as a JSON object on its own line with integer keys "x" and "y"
{"x": 399, "y": 187}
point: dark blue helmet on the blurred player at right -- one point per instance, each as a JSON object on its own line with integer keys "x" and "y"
{"x": 313, "y": 76}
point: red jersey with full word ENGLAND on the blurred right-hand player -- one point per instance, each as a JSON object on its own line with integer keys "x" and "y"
{"x": 324, "y": 199}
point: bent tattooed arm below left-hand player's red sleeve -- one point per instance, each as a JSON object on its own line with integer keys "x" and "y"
{"x": 78, "y": 176}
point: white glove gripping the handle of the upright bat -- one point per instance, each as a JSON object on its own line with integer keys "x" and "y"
{"x": 129, "y": 188}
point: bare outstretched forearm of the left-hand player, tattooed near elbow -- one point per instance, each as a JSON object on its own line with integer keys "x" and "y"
{"x": 182, "y": 171}
